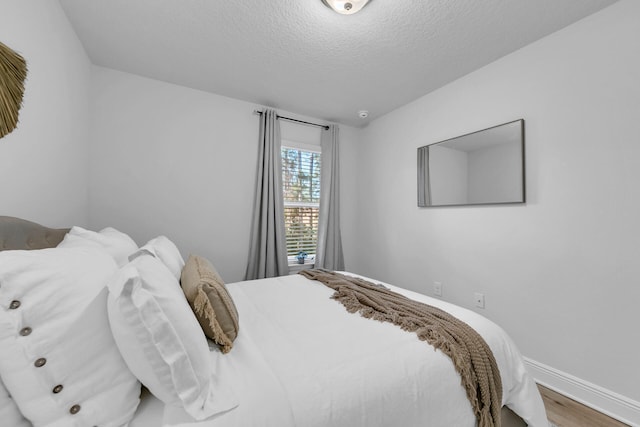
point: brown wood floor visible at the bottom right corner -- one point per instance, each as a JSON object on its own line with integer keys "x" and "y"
{"x": 565, "y": 412}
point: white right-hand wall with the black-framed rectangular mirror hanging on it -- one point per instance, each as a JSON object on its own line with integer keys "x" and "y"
{"x": 561, "y": 273}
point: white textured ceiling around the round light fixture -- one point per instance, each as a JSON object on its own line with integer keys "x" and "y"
{"x": 302, "y": 57}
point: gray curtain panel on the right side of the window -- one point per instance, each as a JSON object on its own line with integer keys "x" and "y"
{"x": 329, "y": 251}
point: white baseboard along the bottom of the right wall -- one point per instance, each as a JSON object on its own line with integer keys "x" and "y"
{"x": 606, "y": 401}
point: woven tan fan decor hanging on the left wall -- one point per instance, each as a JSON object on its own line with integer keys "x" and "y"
{"x": 13, "y": 71}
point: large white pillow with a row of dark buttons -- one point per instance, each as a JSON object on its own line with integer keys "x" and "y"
{"x": 58, "y": 359}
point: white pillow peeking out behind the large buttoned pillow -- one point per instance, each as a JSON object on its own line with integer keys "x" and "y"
{"x": 118, "y": 244}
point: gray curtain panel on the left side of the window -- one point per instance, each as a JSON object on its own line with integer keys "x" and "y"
{"x": 268, "y": 247}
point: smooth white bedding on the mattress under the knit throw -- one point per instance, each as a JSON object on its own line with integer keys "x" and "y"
{"x": 301, "y": 359}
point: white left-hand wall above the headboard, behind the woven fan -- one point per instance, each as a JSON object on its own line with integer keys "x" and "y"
{"x": 43, "y": 162}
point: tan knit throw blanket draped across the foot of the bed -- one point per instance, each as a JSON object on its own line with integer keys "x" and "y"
{"x": 470, "y": 354}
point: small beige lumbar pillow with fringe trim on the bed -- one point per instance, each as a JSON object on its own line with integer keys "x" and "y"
{"x": 210, "y": 301}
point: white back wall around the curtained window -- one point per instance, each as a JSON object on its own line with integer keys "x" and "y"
{"x": 170, "y": 160}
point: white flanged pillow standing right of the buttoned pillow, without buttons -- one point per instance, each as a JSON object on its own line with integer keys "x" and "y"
{"x": 161, "y": 340}
